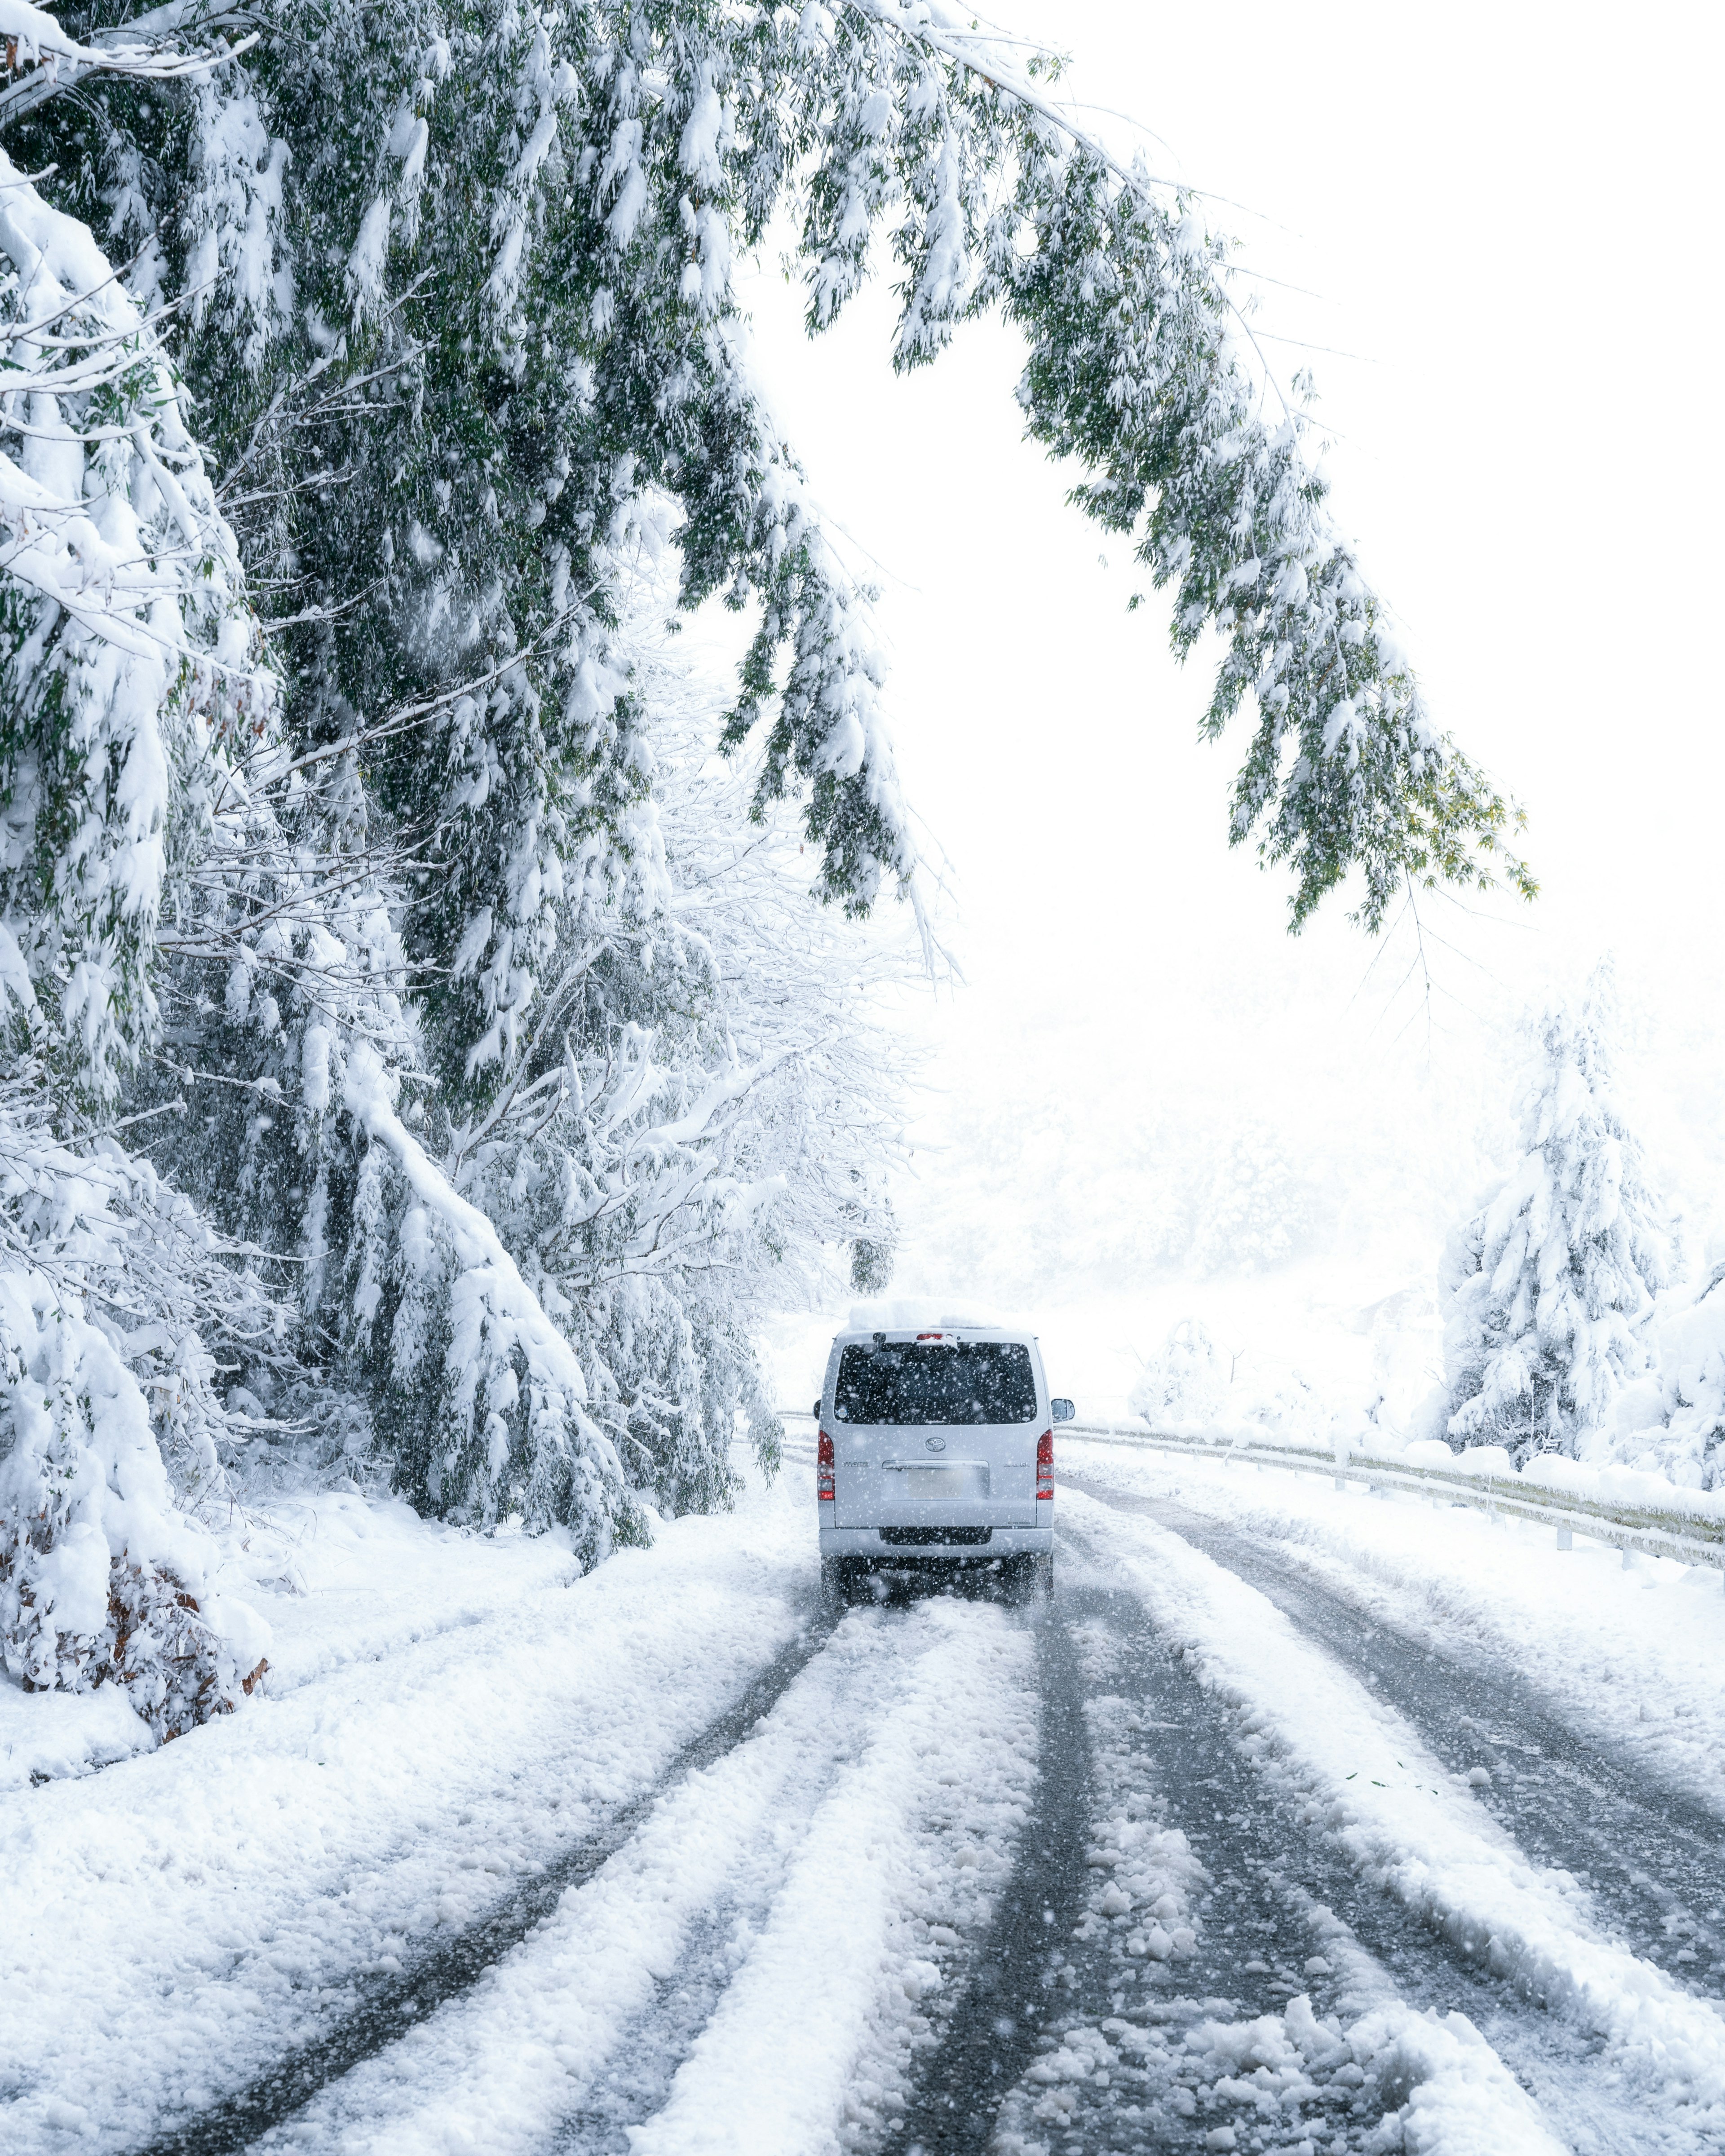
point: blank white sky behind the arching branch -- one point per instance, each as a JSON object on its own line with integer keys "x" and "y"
{"x": 1510, "y": 223}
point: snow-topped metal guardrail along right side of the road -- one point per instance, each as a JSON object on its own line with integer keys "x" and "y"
{"x": 1657, "y": 1532}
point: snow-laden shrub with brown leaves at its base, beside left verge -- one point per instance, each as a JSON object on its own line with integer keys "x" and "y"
{"x": 102, "y": 1581}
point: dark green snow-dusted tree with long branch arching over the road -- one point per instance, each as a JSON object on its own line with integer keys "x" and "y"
{"x": 510, "y": 232}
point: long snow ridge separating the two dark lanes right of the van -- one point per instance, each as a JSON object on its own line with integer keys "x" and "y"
{"x": 1403, "y": 1819}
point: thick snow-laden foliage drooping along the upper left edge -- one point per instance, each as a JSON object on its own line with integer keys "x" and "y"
{"x": 130, "y": 650}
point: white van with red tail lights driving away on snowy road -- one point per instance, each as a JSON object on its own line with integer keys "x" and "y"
{"x": 937, "y": 1448}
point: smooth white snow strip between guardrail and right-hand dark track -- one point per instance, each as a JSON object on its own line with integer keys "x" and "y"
{"x": 1625, "y": 1653}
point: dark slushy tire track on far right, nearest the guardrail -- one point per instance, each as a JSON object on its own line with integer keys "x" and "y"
{"x": 1651, "y": 1857}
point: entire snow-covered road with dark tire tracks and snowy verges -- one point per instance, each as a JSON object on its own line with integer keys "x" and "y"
{"x": 1295, "y": 1823}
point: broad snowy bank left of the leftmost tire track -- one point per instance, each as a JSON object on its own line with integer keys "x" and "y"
{"x": 447, "y": 1717}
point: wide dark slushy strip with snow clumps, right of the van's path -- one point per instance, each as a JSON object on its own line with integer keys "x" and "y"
{"x": 1211, "y": 1995}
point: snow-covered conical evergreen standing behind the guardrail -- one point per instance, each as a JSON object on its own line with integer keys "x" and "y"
{"x": 1549, "y": 1284}
